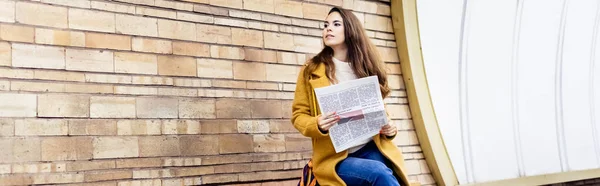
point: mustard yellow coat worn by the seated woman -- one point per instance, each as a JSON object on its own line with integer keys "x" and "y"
{"x": 304, "y": 117}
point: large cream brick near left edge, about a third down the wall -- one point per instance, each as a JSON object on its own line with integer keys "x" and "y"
{"x": 36, "y": 56}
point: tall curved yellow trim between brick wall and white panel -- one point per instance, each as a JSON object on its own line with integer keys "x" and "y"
{"x": 406, "y": 30}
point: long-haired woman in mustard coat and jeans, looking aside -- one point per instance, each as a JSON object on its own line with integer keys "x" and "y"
{"x": 348, "y": 54}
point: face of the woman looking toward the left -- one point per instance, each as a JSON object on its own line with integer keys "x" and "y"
{"x": 333, "y": 31}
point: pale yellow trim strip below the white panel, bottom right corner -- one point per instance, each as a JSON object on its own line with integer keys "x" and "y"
{"x": 544, "y": 179}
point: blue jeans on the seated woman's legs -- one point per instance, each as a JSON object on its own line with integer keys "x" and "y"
{"x": 366, "y": 166}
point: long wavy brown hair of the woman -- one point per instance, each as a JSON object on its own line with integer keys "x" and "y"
{"x": 362, "y": 54}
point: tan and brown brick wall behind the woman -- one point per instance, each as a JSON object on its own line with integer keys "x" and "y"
{"x": 164, "y": 92}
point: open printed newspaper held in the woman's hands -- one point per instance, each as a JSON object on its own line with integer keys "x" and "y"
{"x": 360, "y": 107}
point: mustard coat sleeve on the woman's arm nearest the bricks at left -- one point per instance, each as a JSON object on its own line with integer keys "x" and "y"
{"x": 301, "y": 109}
